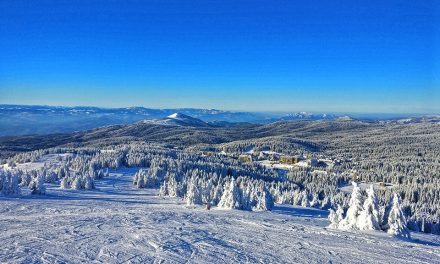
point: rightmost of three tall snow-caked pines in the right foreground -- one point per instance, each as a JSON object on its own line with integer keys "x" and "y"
{"x": 396, "y": 220}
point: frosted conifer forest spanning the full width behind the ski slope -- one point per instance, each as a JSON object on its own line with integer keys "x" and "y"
{"x": 409, "y": 164}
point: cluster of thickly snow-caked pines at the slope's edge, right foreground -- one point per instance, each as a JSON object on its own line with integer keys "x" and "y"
{"x": 365, "y": 214}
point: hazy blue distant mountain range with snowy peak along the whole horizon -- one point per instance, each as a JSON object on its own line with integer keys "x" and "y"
{"x": 24, "y": 119}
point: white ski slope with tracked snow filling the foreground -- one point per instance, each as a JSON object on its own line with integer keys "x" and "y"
{"x": 117, "y": 223}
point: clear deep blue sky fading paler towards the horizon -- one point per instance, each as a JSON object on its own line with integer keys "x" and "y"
{"x": 345, "y": 56}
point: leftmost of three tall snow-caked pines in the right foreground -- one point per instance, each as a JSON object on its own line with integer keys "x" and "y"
{"x": 354, "y": 210}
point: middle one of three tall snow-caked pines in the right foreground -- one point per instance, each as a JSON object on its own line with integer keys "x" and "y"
{"x": 369, "y": 219}
